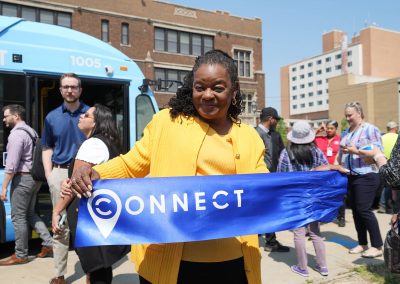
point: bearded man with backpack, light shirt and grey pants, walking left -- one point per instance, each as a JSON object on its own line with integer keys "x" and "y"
{"x": 24, "y": 188}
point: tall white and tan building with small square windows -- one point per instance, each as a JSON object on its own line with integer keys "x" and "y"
{"x": 306, "y": 88}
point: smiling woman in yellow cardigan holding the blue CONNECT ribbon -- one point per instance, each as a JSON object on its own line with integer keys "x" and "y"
{"x": 199, "y": 135}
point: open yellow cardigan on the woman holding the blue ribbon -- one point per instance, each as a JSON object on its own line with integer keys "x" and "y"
{"x": 170, "y": 147}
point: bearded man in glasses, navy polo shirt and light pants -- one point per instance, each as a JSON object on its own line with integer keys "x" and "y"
{"x": 60, "y": 141}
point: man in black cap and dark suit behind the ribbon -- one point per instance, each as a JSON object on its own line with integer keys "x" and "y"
{"x": 273, "y": 146}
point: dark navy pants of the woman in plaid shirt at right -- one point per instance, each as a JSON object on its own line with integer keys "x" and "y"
{"x": 362, "y": 191}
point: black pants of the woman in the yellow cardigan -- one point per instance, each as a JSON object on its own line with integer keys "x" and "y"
{"x": 231, "y": 272}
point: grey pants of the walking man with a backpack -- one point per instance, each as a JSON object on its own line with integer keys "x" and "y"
{"x": 23, "y": 200}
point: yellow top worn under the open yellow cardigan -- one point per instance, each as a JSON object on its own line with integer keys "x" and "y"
{"x": 210, "y": 164}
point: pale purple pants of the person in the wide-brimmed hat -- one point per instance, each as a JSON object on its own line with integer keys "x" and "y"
{"x": 300, "y": 245}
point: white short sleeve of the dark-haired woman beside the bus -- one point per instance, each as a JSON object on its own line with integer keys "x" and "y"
{"x": 93, "y": 151}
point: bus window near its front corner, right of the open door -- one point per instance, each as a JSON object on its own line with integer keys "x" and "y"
{"x": 144, "y": 113}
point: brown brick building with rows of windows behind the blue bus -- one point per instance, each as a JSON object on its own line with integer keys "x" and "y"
{"x": 162, "y": 38}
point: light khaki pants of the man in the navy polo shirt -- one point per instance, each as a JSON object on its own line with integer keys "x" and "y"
{"x": 61, "y": 241}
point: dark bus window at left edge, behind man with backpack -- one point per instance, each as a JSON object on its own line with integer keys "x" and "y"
{"x": 12, "y": 91}
